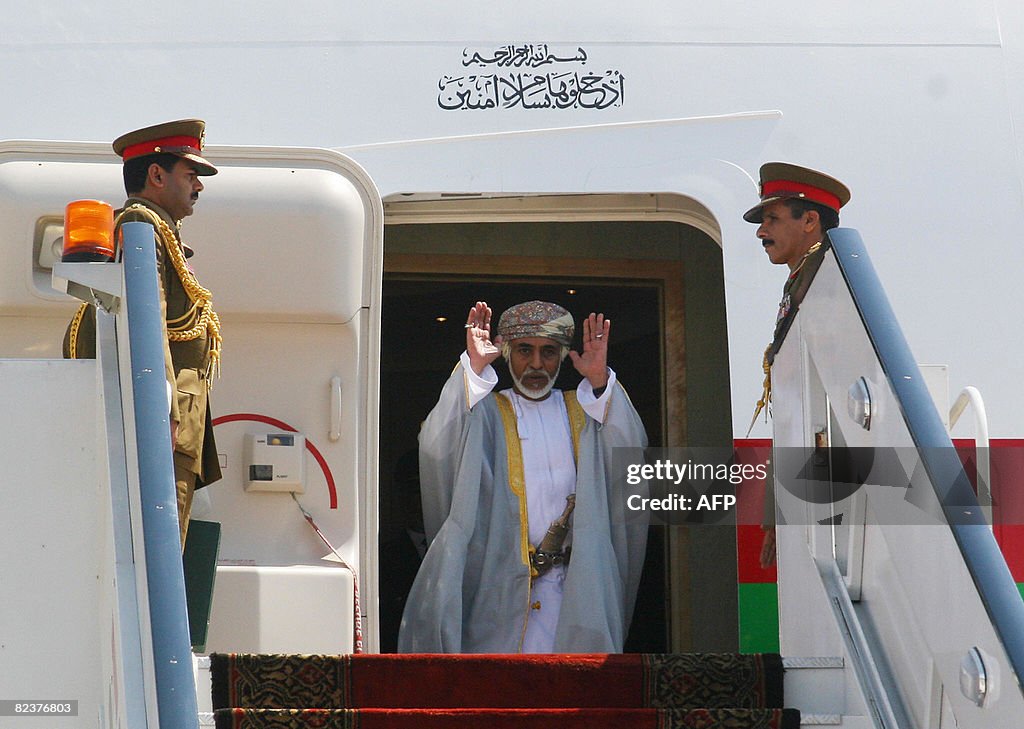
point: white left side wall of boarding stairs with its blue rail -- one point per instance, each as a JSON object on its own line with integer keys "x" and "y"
{"x": 94, "y": 614}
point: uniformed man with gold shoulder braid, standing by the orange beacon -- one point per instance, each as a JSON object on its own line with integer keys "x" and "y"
{"x": 162, "y": 169}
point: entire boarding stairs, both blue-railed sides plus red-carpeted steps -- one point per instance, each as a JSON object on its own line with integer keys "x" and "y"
{"x": 900, "y": 615}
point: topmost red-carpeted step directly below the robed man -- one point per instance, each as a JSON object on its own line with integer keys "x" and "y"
{"x": 428, "y": 681}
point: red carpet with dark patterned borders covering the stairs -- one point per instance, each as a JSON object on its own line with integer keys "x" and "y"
{"x": 705, "y": 692}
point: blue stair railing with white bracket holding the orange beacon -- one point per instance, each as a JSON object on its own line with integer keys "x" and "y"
{"x": 155, "y": 671}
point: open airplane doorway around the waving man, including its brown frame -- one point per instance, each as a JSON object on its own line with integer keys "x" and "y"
{"x": 662, "y": 283}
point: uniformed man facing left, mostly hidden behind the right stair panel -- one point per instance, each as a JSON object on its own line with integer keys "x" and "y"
{"x": 798, "y": 206}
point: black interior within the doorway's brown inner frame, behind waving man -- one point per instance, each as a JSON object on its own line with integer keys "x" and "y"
{"x": 422, "y": 337}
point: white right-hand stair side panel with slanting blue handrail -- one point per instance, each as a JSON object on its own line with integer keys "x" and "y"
{"x": 937, "y": 606}
